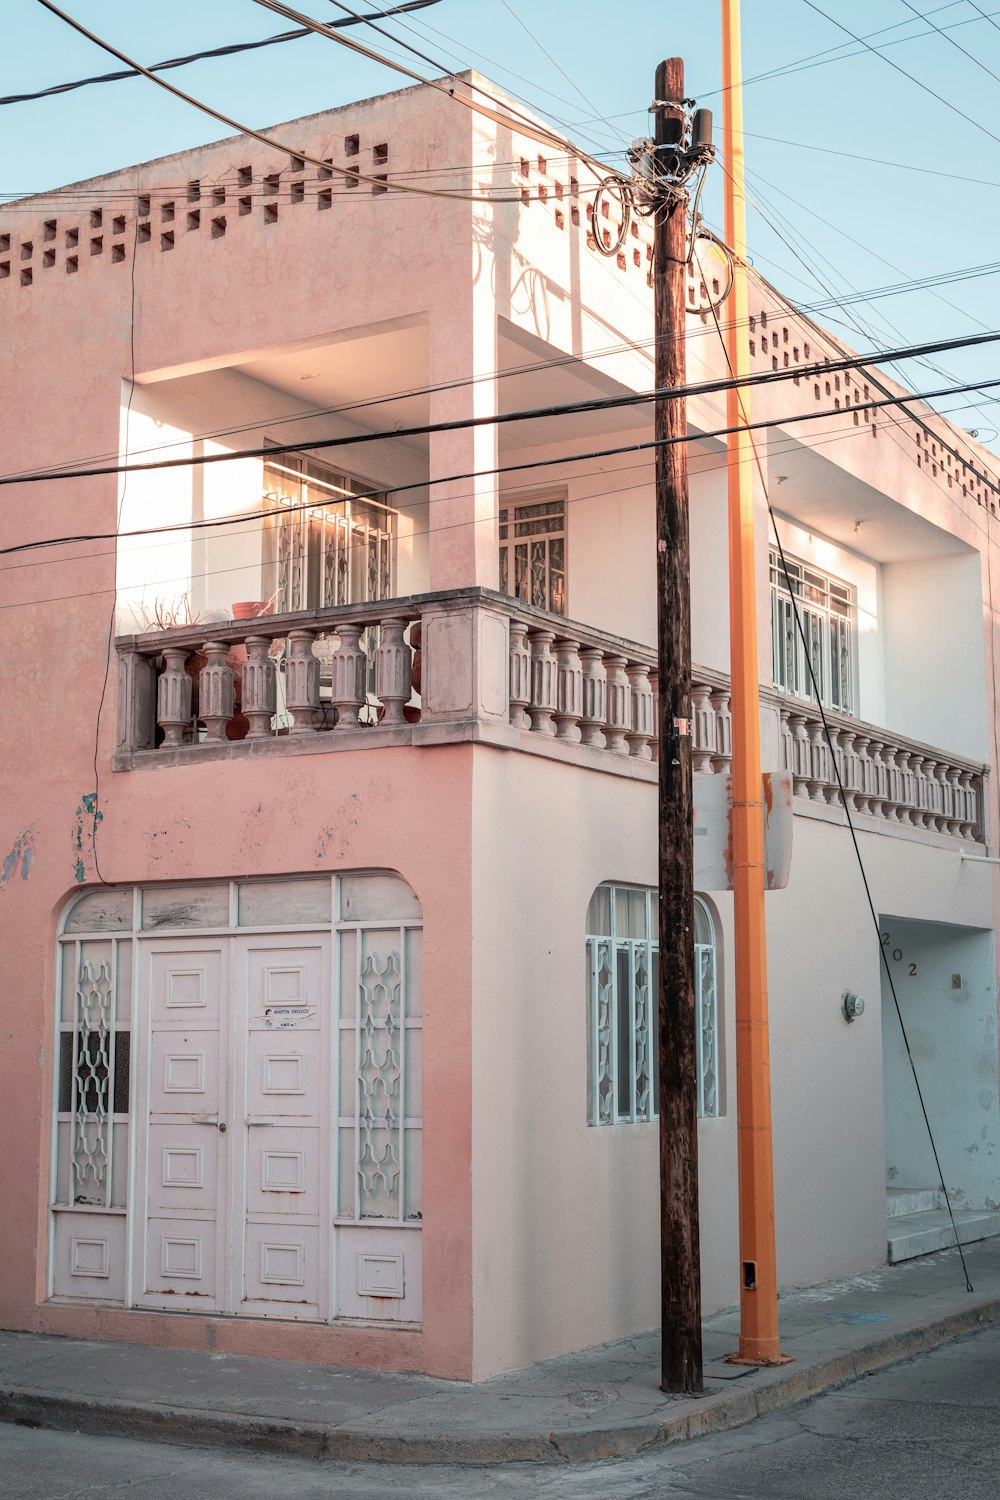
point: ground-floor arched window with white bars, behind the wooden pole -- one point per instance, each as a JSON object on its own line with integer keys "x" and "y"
{"x": 623, "y": 977}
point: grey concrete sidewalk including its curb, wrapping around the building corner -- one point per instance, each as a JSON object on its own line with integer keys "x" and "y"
{"x": 599, "y": 1405}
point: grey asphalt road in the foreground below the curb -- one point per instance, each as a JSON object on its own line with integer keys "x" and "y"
{"x": 921, "y": 1430}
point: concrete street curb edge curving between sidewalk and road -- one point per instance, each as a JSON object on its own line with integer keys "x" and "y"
{"x": 319, "y": 1441}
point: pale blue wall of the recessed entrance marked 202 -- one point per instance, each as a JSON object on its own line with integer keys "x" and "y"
{"x": 953, "y": 1036}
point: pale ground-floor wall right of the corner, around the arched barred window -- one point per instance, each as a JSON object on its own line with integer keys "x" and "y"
{"x": 564, "y": 1216}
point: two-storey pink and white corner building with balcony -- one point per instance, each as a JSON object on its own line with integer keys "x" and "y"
{"x": 329, "y": 931}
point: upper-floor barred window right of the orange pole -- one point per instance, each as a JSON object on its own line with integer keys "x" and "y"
{"x": 828, "y": 614}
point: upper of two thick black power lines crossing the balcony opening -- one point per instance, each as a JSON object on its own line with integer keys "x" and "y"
{"x": 810, "y": 371}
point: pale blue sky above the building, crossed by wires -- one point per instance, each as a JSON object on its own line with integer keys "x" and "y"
{"x": 869, "y": 164}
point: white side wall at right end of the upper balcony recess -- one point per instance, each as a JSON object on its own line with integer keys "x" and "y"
{"x": 936, "y": 682}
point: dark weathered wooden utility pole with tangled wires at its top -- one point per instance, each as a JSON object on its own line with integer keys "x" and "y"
{"x": 680, "y": 1247}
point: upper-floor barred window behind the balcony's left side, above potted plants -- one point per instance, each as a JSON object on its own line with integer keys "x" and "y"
{"x": 325, "y": 545}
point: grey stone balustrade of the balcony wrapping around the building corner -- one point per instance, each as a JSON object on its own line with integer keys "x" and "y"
{"x": 473, "y": 665}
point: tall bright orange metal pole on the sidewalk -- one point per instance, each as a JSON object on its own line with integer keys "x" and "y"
{"x": 759, "y": 1282}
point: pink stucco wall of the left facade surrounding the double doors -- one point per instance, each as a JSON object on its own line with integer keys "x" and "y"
{"x": 70, "y": 341}
